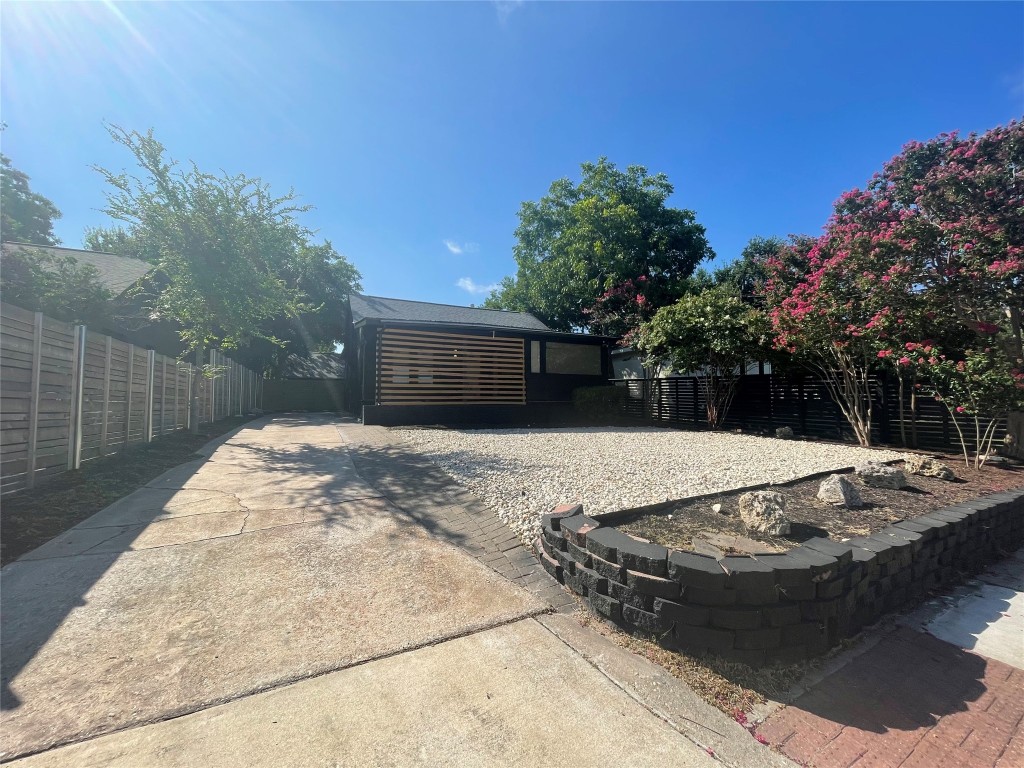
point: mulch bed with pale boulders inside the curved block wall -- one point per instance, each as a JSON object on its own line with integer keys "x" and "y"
{"x": 694, "y": 525}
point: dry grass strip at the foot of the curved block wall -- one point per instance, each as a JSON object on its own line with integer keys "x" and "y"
{"x": 728, "y": 686}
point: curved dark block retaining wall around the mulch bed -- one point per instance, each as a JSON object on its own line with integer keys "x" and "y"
{"x": 776, "y": 609}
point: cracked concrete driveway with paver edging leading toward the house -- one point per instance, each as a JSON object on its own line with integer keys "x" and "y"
{"x": 310, "y": 594}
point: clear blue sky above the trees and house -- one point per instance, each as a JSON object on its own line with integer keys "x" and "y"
{"x": 416, "y": 130}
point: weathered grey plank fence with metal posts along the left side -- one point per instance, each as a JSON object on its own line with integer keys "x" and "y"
{"x": 69, "y": 396}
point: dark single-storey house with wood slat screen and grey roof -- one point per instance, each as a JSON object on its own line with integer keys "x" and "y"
{"x": 417, "y": 363}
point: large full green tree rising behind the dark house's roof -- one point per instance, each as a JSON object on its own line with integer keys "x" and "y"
{"x": 581, "y": 241}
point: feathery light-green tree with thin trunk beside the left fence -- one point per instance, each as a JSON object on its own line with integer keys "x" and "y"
{"x": 233, "y": 262}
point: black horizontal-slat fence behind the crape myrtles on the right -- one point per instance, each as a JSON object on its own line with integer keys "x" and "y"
{"x": 765, "y": 403}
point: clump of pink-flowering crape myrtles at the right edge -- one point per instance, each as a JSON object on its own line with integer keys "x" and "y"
{"x": 929, "y": 257}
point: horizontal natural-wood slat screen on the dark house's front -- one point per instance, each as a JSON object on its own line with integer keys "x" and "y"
{"x": 429, "y": 368}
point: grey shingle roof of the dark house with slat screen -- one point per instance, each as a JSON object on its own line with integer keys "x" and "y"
{"x": 401, "y": 311}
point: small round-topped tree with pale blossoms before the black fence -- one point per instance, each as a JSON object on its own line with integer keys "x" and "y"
{"x": 712, "y": 335}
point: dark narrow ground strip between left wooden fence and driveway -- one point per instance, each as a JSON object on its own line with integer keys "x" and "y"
{"x": 33, "y": 518}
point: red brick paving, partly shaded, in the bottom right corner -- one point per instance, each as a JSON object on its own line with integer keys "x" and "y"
{"x": 911, "y": 702}
